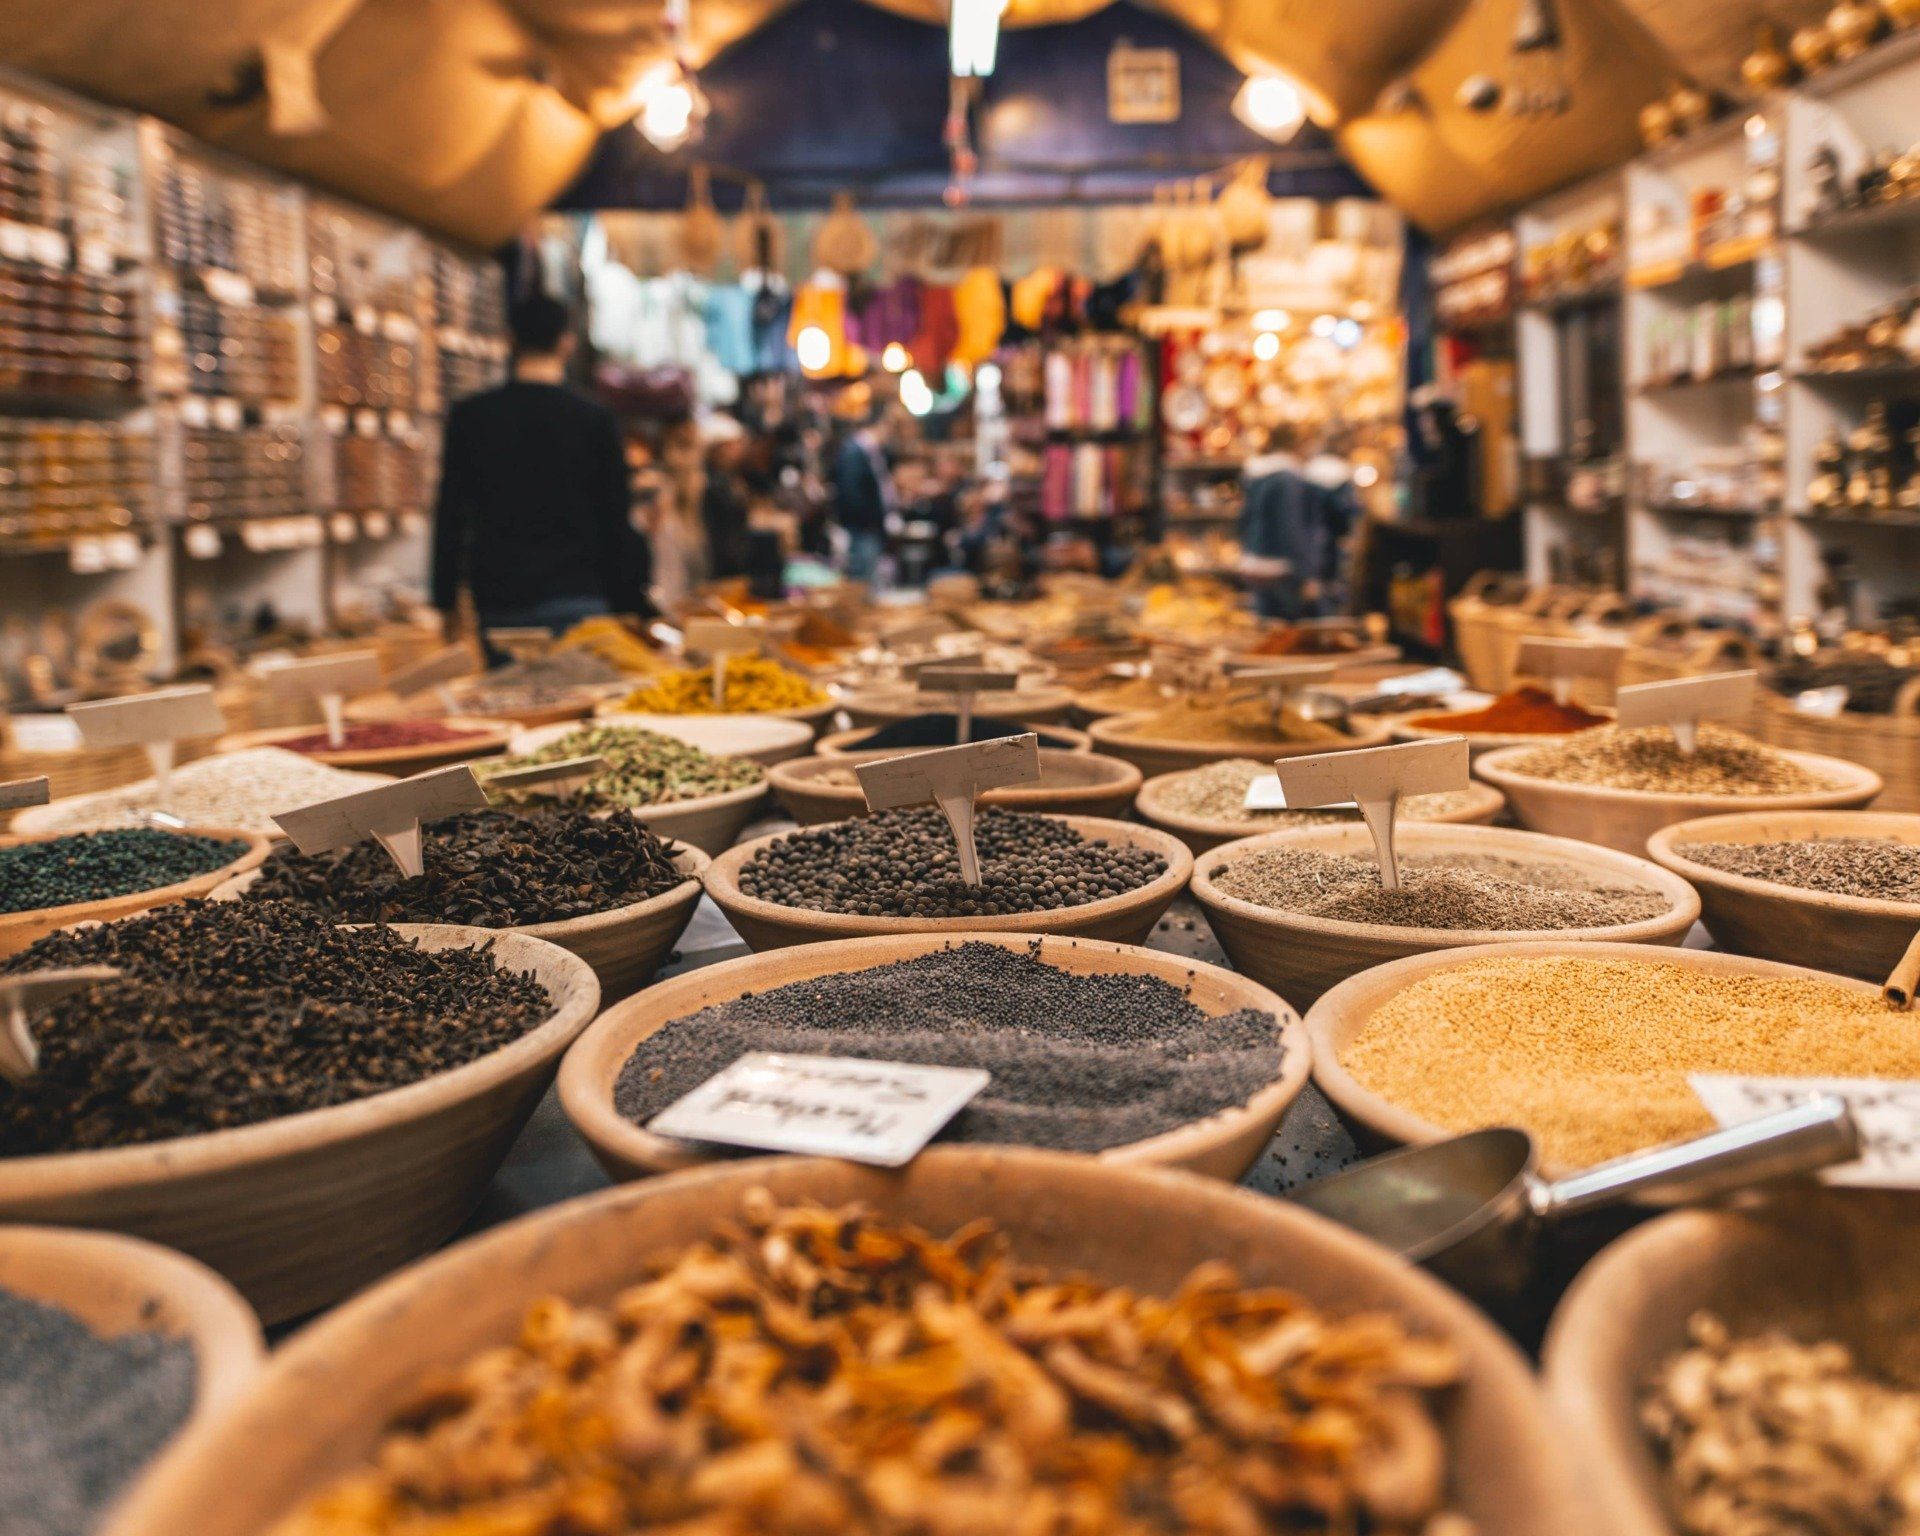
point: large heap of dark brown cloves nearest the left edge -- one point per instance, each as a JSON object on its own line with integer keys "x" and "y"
{"x": 239, "y": 1013}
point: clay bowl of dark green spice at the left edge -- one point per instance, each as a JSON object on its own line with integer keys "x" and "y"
{"x": 145, "y": 867}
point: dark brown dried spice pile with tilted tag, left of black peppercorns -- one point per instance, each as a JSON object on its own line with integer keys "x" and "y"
{"x": 492, "y": 869}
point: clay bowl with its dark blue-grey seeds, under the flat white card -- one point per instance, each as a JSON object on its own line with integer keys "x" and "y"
{"x": 1068, "y": 1007}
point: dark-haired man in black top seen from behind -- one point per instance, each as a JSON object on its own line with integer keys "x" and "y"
{"x": 533, "y": 516}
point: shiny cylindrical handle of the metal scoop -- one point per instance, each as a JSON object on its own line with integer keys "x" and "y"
{"x": 1800, "y": 1140}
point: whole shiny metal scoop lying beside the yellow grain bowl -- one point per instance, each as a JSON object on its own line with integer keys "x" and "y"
{"x": 1470, "y": 1209}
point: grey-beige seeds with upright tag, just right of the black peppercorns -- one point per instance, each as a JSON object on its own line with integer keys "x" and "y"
{"x": 1454, "y": 890}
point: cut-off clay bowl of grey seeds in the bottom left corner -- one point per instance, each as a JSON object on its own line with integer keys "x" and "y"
{"x": 108, "y": 1351}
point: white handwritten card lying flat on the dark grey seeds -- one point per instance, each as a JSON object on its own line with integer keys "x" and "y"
{"x": 827, "y": 1107}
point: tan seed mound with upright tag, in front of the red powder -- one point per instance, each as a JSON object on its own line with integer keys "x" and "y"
{"x": 1646, "y": 757}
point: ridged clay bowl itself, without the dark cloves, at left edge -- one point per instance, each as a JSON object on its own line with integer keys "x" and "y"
{"x": 304, "y": 1211}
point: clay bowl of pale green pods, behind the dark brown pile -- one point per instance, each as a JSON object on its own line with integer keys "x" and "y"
{"x": 648, "y": 763}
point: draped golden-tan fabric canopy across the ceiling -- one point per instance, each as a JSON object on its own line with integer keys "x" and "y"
{"x": 471, "y": 114}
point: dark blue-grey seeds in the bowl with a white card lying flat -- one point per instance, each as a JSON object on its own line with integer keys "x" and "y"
{"x": 1080, "y": 1063}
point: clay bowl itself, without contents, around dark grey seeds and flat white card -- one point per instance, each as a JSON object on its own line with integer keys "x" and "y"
{"x": 1224, "y": 1145}
